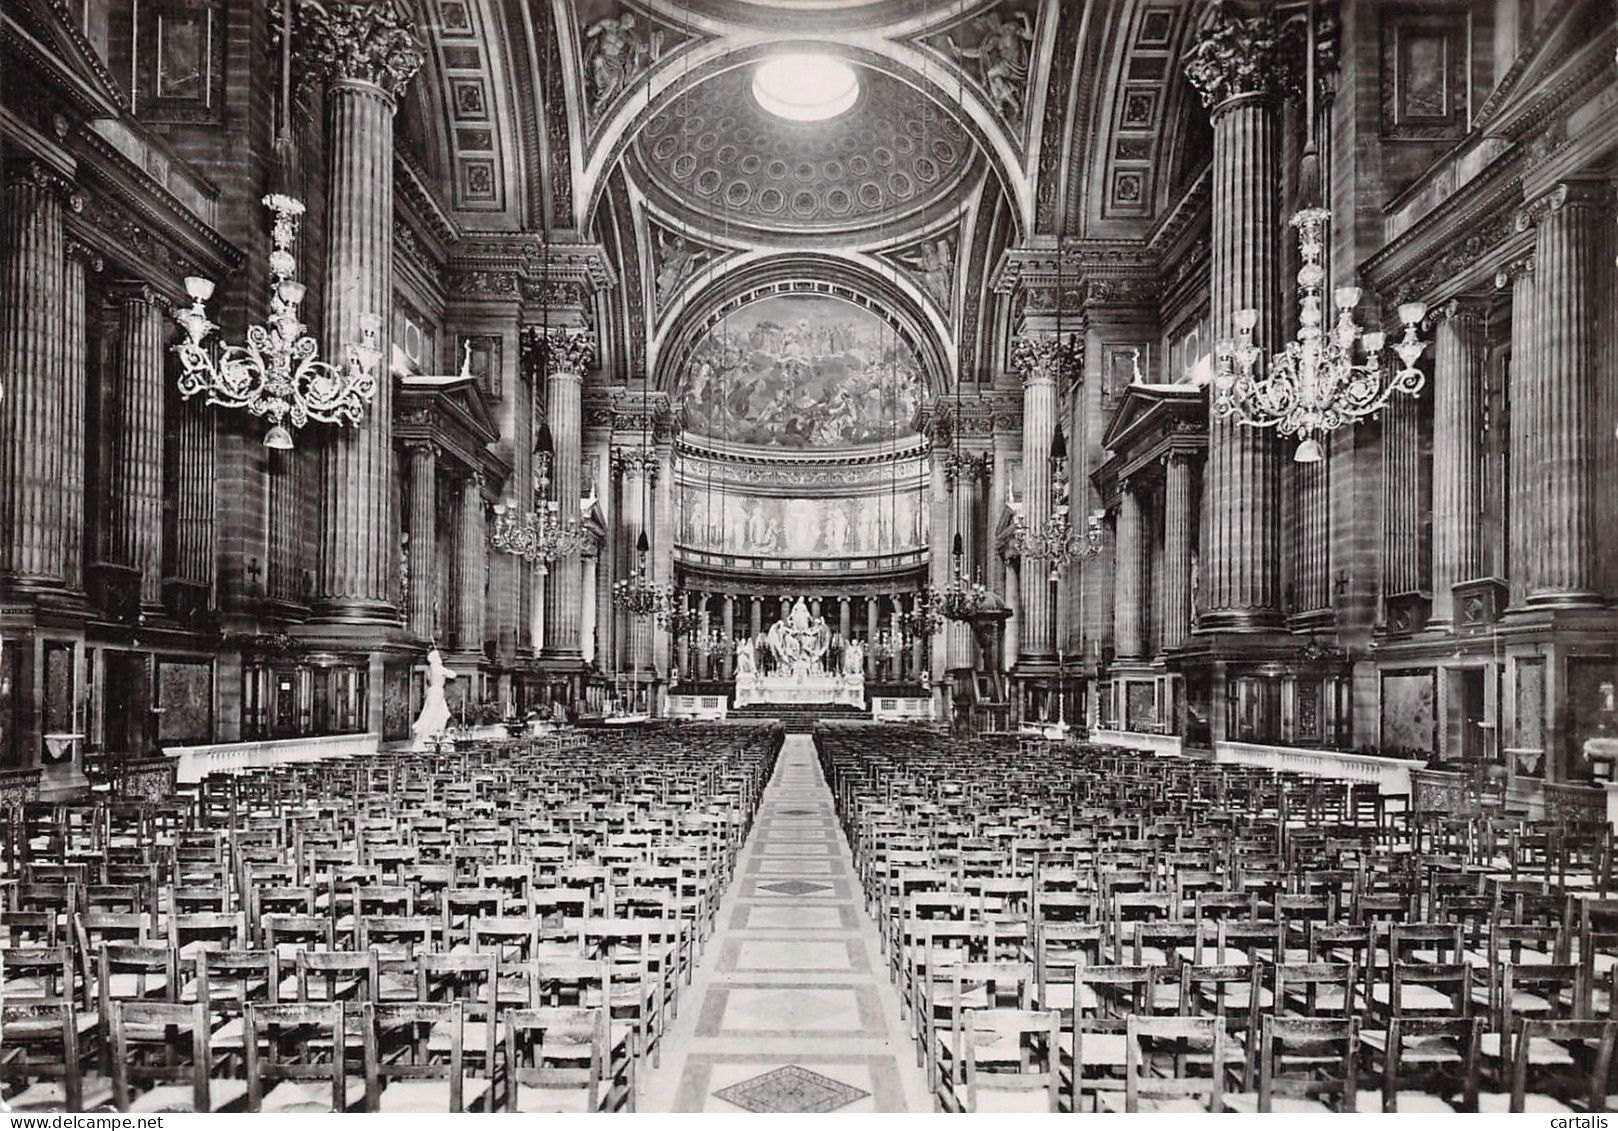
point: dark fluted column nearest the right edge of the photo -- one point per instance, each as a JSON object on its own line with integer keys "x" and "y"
{"x": 1564, "y": 570}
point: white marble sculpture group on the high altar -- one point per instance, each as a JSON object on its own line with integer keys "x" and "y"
{"x": 800, "y": 661}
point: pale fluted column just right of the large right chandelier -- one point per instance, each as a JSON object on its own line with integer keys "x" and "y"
{"x": 1457, "y": 452}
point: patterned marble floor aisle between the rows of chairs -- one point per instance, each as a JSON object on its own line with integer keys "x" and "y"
{"x": 790, "y": 1009}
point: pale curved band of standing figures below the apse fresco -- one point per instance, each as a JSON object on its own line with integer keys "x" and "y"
{"x": 800, "y": 528}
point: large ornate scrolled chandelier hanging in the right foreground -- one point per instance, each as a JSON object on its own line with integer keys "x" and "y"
{"x": 1315, "y": 386}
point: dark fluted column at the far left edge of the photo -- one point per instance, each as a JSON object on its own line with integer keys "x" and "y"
{"x": 32, "y": 371}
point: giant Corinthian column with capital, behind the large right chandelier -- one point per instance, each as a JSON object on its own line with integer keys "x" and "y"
{"x": 1234, "y": 67}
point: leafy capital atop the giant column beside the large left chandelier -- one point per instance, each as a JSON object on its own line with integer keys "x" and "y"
{"x": 355, "y": 41}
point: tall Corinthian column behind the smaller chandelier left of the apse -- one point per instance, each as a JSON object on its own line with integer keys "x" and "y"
{"x": 565, "y": 360}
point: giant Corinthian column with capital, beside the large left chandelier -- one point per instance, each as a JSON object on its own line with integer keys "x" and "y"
{"x": 366, "y": 64}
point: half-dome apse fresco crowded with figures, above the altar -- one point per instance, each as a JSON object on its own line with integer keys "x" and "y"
{"x": 802, "y": 373}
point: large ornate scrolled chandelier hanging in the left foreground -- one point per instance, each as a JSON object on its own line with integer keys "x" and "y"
{"x": 276, "y": 375}
